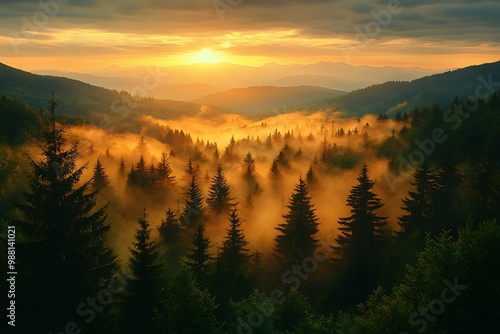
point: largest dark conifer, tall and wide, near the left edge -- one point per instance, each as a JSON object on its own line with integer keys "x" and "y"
{"x": 62, "y": 255}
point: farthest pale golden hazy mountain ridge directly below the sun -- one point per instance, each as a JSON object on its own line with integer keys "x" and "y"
{"x": 229, "y": 76}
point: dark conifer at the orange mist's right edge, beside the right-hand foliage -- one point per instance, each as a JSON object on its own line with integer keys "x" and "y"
{"x": 416, "y": 221}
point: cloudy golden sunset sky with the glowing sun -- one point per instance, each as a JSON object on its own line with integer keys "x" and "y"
{"x": 91, "y": 34}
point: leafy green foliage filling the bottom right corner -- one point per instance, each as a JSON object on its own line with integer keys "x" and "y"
{"x": 437, "y": 294}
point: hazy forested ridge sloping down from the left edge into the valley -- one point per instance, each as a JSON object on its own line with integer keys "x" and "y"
{"x": 91, "y": 102}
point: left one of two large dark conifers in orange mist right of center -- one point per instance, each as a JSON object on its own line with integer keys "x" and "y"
{"x": 295, "y": 240}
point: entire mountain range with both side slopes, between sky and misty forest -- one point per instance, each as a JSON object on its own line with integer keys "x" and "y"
{"x": 94, "y": 103}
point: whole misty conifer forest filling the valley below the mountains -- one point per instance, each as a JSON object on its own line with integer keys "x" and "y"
{"x": 295, "y": 224}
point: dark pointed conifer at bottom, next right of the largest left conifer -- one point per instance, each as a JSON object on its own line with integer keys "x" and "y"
{"x": 143, "y": 306}
